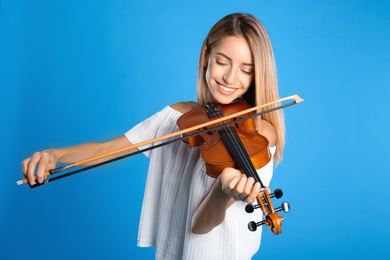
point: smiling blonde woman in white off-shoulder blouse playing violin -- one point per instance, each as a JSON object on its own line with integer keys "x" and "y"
{"x": 186, "y": 214}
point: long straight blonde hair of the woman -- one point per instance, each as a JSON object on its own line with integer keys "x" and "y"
{"x": 264, "y": 88}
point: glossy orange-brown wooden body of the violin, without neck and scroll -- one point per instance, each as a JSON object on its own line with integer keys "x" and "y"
{"x": 214, "y": 152}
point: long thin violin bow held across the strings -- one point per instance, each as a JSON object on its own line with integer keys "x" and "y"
{"x": 183, "y": 133}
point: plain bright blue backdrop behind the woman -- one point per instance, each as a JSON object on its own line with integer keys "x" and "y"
{"x": 78, "y": 71}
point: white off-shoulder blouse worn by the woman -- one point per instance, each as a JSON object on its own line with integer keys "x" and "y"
{"x": 176, "y": 185}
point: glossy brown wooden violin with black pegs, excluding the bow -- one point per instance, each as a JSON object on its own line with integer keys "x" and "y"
{"x": 237, "y": 145}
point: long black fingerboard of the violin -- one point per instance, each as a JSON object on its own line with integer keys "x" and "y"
{"x": 237, "y": 150}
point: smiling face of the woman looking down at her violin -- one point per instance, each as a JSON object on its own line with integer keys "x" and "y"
{"x": 230, "y": 69}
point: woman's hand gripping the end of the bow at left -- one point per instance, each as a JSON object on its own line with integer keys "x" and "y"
{"x": 40, "y": 162}
